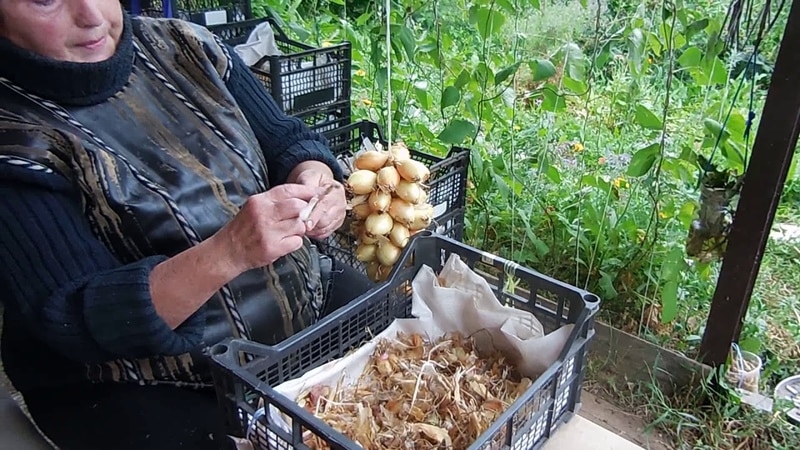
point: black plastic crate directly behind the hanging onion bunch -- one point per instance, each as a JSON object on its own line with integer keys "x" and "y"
{"x": 447, "y": 194}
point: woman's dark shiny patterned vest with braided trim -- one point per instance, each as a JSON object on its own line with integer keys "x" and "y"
{"x": 161, "y": 166}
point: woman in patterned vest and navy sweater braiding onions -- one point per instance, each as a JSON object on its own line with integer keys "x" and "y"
{"x": 150, "y": 201}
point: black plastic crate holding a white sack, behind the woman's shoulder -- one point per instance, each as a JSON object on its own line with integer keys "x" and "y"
{"x": 303, "y": 78}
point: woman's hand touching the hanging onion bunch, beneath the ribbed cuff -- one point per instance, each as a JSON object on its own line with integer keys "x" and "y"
{"x": 331, "y": 207}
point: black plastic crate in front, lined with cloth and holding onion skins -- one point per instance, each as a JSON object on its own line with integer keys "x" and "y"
{"x": 245, "y": 390}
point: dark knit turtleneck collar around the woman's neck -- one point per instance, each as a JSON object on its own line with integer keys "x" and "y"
{"x": 69, "y": 83}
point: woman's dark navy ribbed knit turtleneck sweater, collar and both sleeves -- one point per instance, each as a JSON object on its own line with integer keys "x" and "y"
{"x": 68, "y": 300}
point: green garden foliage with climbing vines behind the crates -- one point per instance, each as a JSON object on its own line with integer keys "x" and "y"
{"x": 586, "y": 124}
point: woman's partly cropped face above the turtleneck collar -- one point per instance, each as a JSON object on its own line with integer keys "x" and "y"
{"x": 82, "y": 31}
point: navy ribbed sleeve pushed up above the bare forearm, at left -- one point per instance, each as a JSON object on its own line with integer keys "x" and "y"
{"x": 73, "y": 294}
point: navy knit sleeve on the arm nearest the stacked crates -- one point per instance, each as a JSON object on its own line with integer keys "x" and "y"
{"x": 285, "y": 140}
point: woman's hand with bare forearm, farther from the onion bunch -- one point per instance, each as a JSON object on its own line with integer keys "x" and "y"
{"x": 266, "y": 228}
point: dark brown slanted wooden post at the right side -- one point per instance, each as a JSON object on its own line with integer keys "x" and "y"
{"x": 763, "y": 184}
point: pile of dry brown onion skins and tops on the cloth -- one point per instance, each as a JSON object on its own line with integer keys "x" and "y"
{"x": 418, "y": 394}
